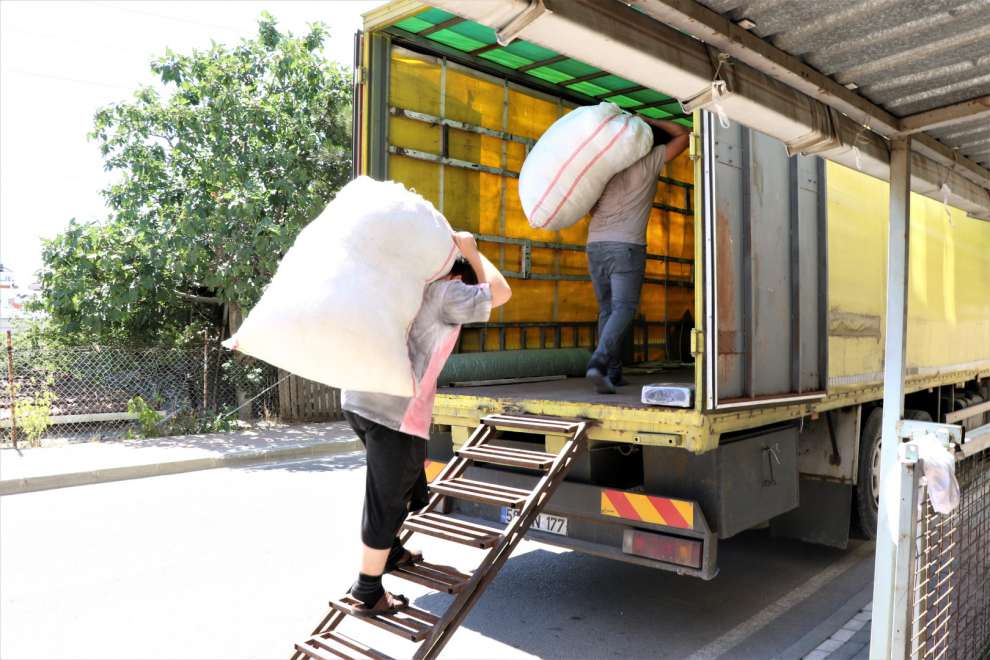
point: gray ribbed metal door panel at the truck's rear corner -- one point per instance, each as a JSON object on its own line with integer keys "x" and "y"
{"x": 765, "y": 270}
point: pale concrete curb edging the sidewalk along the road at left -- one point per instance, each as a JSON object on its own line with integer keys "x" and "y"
{"x": 240, "y": 458}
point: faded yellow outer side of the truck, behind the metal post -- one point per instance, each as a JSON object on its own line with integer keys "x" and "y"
{"x": 949, "y": 282}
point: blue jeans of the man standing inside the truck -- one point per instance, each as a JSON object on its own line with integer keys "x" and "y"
{"x": 617, "y": 271}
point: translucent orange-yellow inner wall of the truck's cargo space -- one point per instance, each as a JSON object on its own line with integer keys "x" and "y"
{"x": 489, "y": 204}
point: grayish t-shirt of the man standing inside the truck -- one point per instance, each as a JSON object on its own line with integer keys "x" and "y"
{"x": 623, "y": 211}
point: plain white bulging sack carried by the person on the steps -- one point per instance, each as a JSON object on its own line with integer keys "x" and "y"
{"x": 339, "y": 308}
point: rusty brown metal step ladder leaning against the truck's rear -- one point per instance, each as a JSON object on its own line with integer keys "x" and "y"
{"x": 416, "y": 625}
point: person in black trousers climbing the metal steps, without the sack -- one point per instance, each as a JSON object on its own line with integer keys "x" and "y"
{"x": 394, "y": 429}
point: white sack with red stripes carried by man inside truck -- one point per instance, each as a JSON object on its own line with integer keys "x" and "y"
{"x": 568, "y": 168}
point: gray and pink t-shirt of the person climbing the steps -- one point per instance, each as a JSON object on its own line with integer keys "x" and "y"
{"x": 447, "y": 305}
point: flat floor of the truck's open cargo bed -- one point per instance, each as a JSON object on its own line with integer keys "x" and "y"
{"x": 576, "y": 390}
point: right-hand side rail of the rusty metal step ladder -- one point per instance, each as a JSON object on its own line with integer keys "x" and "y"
{"x": 500, "y": 553}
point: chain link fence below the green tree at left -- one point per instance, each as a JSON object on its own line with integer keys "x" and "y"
{"x": 103, "y": 393}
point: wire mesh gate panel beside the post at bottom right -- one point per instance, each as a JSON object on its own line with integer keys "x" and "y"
{"x": 948, "y": 588}
